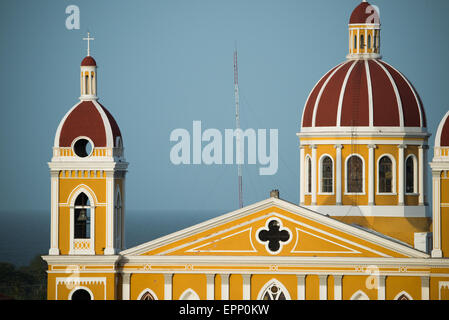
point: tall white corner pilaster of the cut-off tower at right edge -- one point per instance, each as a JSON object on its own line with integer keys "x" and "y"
{"x": 436, "y": 251}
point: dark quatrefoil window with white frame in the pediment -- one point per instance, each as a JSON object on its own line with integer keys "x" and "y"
{"x": 274, "y": 236}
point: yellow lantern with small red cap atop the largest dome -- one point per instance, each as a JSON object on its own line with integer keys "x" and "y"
{"x": 364, "y": 32}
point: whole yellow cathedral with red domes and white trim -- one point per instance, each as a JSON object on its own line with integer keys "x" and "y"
{"x": 364, "y": 228}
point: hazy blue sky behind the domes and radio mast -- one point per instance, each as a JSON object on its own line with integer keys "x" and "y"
{"x": 164, "y": 64}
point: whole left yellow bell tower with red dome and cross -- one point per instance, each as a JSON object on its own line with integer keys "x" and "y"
{"x": 88, "y": 171}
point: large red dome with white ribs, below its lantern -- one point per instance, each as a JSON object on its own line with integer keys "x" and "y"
{"x": 363, "y": 93}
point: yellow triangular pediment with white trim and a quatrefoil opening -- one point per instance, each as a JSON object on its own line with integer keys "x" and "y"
{"x": 274, "y": 227}
